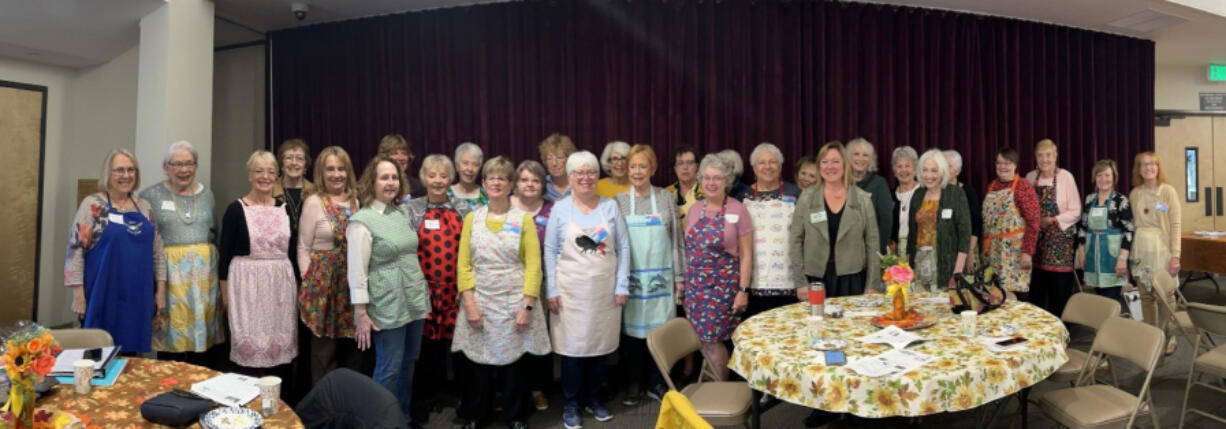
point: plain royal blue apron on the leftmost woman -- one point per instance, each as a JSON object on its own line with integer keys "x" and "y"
{"x": 120, "y": 281}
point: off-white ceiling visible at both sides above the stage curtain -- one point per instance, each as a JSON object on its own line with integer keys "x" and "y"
{"x": 79, "y": 34}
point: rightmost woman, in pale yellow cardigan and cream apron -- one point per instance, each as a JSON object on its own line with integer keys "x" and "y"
{"x": 1157, "y": 216}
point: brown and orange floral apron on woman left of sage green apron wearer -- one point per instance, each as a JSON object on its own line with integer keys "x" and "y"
{"x": 324, "y": 300}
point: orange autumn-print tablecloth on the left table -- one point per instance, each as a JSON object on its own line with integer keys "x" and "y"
{"x": 120, "y": 406}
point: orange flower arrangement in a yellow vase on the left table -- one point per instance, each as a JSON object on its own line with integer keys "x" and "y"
{"x": 29, "y": 357}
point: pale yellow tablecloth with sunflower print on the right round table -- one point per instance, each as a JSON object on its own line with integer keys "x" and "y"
{"x": 773, "y": 355}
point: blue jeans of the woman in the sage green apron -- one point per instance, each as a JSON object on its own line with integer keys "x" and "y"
{"x": 397, "y": 351}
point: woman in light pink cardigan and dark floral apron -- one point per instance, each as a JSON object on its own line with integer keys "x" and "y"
{"x": 1061, "y": 210}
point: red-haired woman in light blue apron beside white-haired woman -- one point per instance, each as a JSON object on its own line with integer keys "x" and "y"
{"x": 655, "y": 240}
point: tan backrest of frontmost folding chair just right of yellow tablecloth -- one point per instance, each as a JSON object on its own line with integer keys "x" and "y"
{"x": 1131, "y": 340}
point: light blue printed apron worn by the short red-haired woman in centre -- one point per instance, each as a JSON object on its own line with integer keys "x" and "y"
{"x": 652, "y": 271}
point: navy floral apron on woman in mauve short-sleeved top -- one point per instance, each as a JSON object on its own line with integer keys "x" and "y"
{"x": 713, "y": 276}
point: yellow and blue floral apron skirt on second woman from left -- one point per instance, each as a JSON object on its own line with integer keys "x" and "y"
{"x": 193, "y": 319}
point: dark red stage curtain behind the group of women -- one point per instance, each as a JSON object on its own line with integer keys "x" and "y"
{"x": 717, "y": 75}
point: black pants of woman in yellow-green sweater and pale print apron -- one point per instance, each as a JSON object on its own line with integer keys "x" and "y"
{"x": 479, "y": 395}
